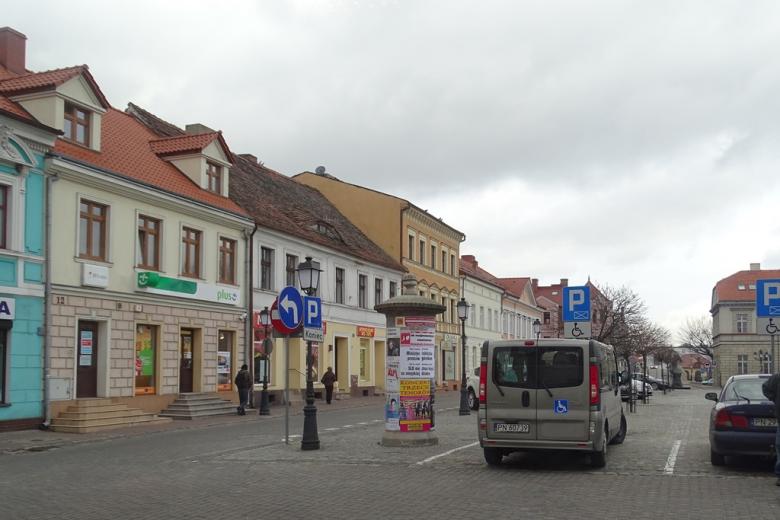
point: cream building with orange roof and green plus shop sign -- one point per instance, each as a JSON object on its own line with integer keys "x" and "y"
{"x": 147, "y": 281}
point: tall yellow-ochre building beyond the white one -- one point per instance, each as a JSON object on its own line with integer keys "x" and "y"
{"x": 423, "y": 243}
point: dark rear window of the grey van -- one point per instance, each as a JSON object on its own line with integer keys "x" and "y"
{"x": 532, "y": 367}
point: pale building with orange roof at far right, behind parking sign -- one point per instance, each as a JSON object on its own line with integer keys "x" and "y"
{"x": 737, "y": 348}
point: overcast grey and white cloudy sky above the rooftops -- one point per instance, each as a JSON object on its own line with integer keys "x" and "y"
{"x": 637, "y": 143}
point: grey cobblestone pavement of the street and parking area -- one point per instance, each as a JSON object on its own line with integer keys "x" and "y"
{"x": 241, "y": 469}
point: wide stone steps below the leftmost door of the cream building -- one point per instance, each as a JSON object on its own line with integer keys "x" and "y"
{"x": 94, "y": 415}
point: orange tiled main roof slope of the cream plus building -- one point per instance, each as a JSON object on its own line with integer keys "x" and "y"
{"x": 125, "y": 150}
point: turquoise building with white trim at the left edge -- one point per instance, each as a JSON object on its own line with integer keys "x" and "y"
{"x": 23, "y": 145}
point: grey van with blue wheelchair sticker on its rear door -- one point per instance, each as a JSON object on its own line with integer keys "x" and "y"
{"x": 558, "y": 394}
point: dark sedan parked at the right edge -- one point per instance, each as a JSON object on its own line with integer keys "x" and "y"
{"x": 743, "y": 420}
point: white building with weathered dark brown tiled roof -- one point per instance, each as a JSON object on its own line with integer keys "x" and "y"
{"x": 294, "y": 222}
